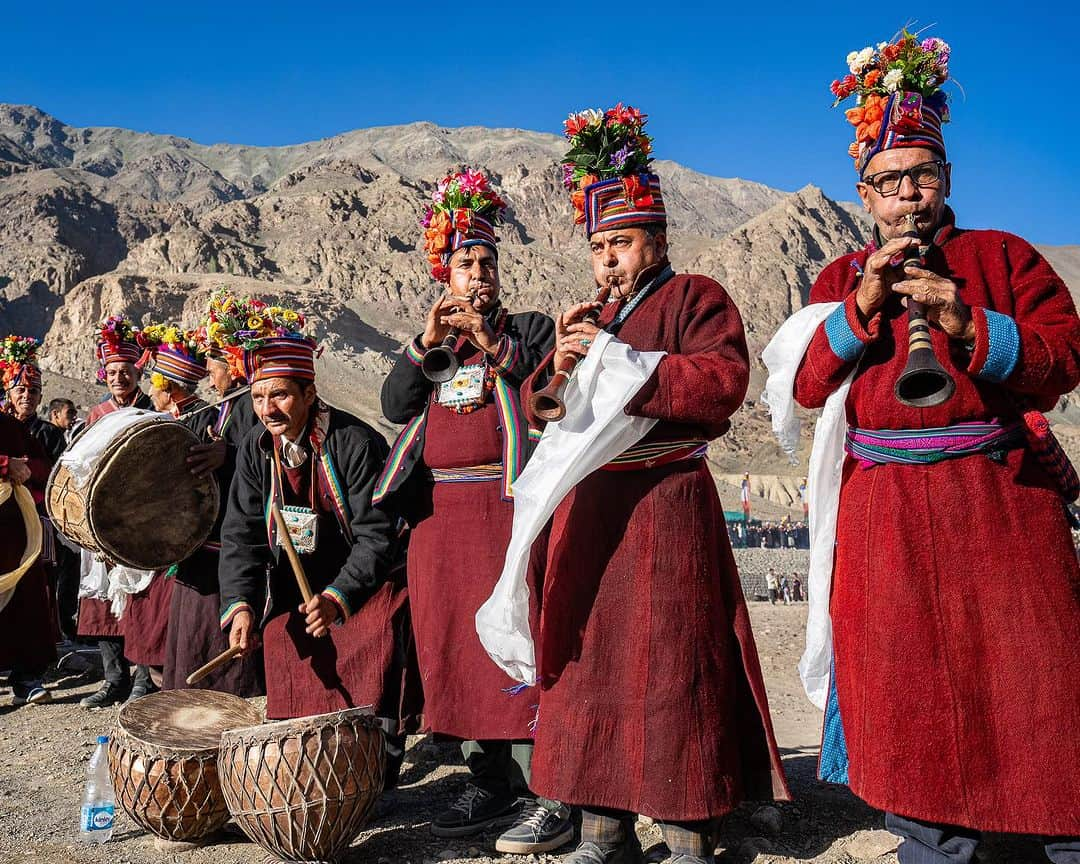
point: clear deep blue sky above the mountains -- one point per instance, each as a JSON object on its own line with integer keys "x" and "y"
{"x": 735, "y": 94}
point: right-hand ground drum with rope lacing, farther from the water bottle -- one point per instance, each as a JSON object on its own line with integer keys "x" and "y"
{"x": 303, "y": 789}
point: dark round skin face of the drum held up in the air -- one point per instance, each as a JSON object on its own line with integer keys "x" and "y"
{"x": 146, "y": 508}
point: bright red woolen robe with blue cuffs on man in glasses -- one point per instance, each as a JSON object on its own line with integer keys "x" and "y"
{"x": 956, "y": 592}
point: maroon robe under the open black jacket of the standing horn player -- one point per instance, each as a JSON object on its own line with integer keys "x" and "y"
{"x": 456, "y": 553}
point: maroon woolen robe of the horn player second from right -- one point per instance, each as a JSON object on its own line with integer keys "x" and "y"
{"x": 652, "y": 694}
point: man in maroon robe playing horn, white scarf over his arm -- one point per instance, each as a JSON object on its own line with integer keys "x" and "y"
{"x": 652, "y": 698}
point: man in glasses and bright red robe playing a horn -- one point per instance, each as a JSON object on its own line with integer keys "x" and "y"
{"x": 954, "y": 711}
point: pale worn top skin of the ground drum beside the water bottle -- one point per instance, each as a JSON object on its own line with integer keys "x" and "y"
{"x": 186, "y": 720}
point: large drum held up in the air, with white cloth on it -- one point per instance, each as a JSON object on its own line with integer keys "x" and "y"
{"x": 124, "y": 490}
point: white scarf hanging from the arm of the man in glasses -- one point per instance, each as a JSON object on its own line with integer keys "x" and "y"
{"x": 784, "y": 356}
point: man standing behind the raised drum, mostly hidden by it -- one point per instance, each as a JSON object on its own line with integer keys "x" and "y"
{"x": 118, "y": 355}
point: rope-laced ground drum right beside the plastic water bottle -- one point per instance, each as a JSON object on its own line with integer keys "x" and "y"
{"x": 164, "y": 761}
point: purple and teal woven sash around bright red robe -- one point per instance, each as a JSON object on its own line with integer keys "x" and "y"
{"x": 928, "y": 447}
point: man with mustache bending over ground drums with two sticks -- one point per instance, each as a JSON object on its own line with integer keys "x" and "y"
{"x": 319, "y": 465}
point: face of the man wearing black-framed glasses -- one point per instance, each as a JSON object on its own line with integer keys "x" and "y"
{"x": 926, "y": 202}
